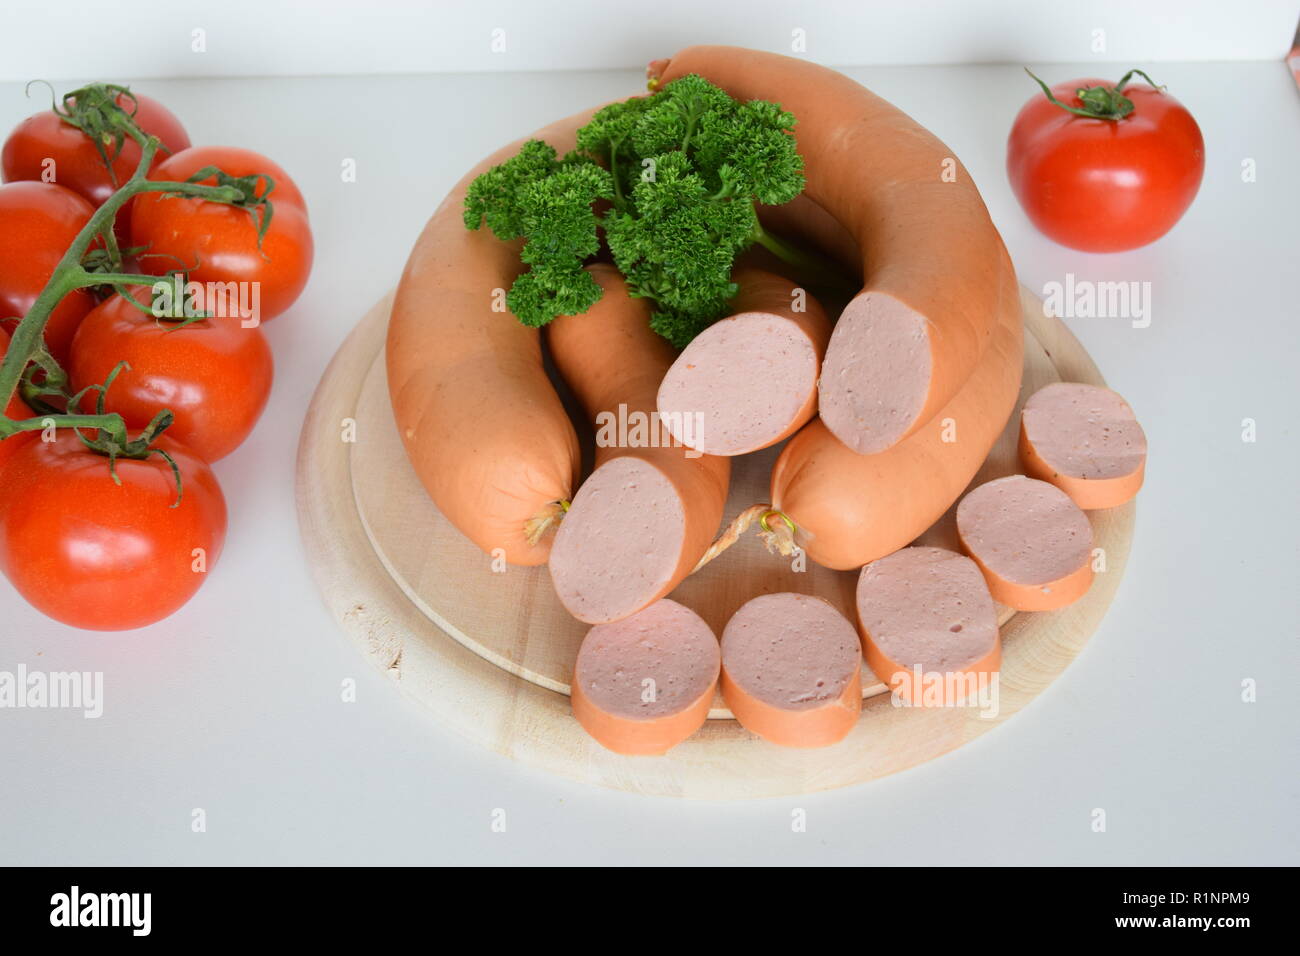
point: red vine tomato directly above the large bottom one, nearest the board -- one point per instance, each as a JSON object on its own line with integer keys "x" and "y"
{"x": 215, "y": 375}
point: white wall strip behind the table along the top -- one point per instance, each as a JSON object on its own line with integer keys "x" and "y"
{"x": 263, "y": 38}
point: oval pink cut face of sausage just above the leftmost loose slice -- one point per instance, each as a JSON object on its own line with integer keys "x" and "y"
{"x": 621, "y": 543}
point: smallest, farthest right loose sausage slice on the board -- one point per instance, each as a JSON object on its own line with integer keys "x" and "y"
{"x": 1086, "y": 442}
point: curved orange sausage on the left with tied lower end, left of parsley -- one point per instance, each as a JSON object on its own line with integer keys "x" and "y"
{"x": 480, "y": 421}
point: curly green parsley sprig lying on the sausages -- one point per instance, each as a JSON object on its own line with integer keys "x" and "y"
{"x": 682, "y": 172}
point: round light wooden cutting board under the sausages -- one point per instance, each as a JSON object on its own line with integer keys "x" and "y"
{"x": 492, "y": 652}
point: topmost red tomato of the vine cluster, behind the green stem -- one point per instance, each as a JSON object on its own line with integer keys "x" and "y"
{"x": 77, "y": 165}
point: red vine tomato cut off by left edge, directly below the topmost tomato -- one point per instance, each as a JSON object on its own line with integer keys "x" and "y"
{"x": 38, "y": 223}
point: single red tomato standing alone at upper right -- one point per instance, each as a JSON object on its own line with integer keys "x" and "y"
{"x": 1104, "y": 185}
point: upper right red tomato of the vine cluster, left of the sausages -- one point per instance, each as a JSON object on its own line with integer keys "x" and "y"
{"x": 219, "y": 244}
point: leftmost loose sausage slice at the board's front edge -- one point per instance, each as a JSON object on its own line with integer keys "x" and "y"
{"x": 644, "y": 685}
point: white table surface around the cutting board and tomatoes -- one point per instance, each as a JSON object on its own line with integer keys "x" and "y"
{"x": 235, "y": 707}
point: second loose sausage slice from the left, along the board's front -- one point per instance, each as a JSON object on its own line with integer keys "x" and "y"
{"x": 792, "y": 671}
